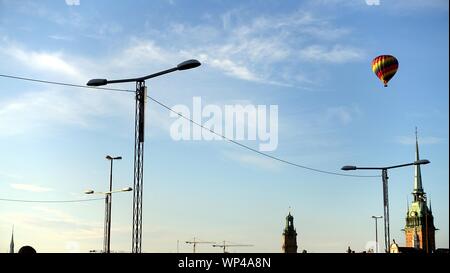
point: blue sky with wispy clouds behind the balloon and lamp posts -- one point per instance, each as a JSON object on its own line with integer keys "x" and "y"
{"x": 311, "y": 58}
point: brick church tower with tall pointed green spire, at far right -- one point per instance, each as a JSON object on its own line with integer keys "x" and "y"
{"x": 419, "y": 228}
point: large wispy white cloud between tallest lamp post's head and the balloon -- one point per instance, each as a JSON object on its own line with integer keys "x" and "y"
{"x": 252, "y": 49}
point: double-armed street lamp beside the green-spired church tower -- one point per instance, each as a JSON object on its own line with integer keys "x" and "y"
{"x": 384, "y": 177}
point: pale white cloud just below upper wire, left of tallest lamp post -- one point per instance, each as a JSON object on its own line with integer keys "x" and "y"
{"x": 39, "y": 111}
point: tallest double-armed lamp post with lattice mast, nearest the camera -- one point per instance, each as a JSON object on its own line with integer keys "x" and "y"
{"x": 141, "y": 94}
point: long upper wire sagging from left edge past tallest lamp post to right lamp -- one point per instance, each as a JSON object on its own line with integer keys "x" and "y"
{"x": 193, "y": 122}
